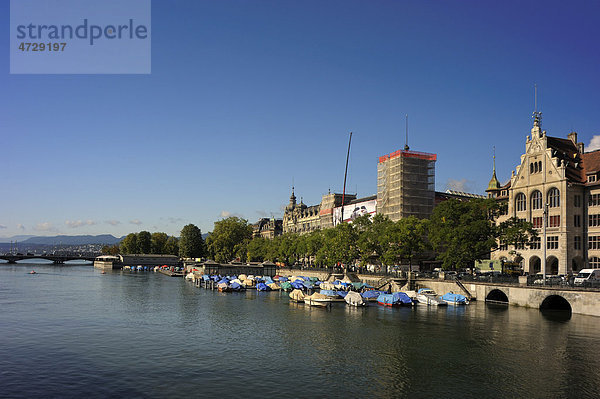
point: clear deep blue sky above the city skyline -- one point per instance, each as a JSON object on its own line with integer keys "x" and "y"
{"x": 247, "y": 96}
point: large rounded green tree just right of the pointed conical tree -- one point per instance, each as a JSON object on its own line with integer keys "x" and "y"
{"x": 228, "y": 239}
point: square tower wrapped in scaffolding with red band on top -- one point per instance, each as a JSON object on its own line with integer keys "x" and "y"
{"x": 406, "y": 184}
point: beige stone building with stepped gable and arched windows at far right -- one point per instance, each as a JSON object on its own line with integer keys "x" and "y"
{"x": 555, "y": 182}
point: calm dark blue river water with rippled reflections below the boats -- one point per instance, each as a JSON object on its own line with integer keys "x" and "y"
{"x": 72, "y": 332}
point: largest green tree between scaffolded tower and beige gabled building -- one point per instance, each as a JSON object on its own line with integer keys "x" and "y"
{"x": 462, "y": 232}
